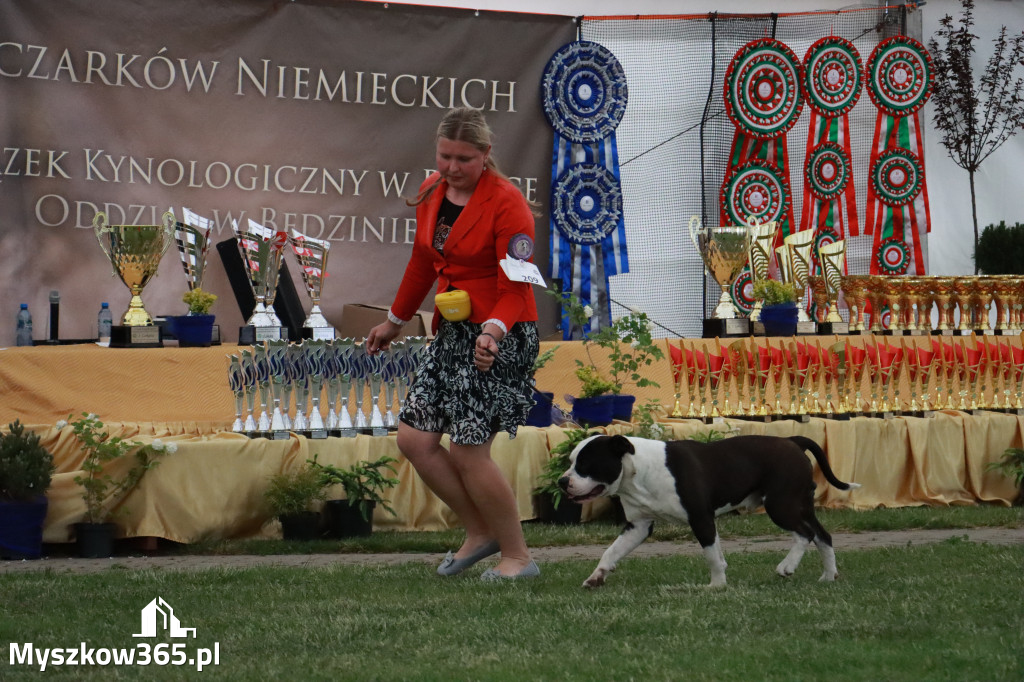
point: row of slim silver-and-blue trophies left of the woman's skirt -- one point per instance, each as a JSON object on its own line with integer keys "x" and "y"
{"x": 280, "y": 388}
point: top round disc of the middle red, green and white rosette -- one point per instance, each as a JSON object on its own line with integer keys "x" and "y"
{"x": 833, "y": 77}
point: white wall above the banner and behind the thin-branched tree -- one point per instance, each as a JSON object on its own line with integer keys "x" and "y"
{"x": 1000, "y": 183}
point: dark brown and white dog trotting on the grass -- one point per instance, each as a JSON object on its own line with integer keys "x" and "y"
{"x": 690, "y": 482}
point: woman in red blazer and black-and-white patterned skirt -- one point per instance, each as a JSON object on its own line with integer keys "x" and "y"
{"x": 476, "y": 378}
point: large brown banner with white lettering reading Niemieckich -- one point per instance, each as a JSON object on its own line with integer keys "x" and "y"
{"x": 297, "y": 115}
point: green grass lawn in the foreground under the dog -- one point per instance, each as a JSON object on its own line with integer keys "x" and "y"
{"x": 944, "y": 612}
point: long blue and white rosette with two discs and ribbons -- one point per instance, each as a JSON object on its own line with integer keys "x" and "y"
{"x": 585, "y": 96}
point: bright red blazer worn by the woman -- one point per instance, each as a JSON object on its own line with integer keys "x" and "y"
{"x": 480, "y": 239}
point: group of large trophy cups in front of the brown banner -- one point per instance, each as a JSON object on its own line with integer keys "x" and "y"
{"x": 136, "y": 252}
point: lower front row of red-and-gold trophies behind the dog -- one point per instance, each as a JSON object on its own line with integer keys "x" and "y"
{"x": 812, "y": 379}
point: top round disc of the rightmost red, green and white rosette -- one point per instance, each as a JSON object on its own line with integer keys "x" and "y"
{"x": 900, "y": 76}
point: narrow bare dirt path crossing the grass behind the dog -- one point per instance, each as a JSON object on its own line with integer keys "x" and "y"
{"x": 779, "y": 544}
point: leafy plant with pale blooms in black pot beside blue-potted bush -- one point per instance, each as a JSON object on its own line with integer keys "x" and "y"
{"x": 102, "y": 491}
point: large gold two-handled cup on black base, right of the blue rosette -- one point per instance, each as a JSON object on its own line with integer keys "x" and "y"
{"x": 724, "y": 251}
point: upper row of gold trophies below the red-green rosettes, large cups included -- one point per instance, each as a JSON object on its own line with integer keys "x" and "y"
{"x": 898, "y": 306}
